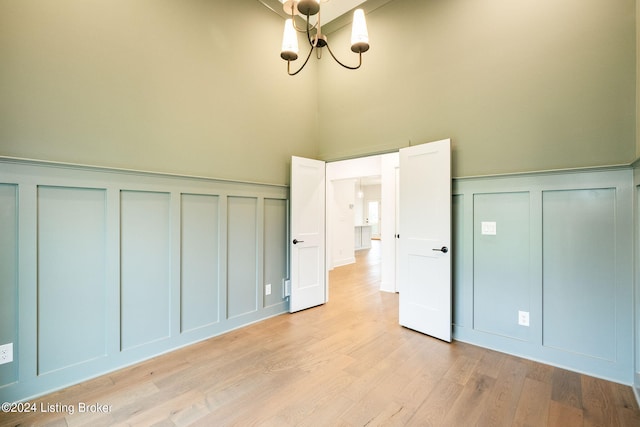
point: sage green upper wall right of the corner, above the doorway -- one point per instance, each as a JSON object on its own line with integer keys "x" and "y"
{"x": 518, "y": 86}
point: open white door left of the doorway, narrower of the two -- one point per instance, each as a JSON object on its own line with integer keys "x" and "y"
{"x": 308, "y": 287}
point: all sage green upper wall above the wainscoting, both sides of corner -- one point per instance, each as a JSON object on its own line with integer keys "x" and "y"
{"x": 197, "y": 87}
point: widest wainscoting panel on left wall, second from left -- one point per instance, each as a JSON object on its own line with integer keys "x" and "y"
{"x": 71, "y": 276}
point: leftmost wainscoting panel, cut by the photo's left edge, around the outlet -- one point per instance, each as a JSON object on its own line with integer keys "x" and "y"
{"x": 8, "y": 276}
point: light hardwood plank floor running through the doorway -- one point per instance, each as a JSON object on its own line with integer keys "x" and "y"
{"x": 346, "y": 363}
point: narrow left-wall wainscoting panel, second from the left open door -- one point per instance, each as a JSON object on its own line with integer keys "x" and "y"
{"x": 242, "y": 273}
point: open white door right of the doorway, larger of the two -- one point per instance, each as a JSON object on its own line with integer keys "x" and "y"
{"x": 425, "y": 238}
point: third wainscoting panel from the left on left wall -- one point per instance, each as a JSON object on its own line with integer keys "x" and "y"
{"x": 145, "y": 267}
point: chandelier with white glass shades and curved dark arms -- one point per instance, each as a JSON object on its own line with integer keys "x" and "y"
{"x": 317, "y": 40}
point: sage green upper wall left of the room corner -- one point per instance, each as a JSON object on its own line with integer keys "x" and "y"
{"x": 191, "y": 87}
